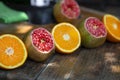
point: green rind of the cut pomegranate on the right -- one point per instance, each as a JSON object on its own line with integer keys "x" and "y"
{"x": 87, "y": 40}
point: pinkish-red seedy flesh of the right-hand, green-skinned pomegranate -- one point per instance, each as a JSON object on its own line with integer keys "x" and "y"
{"x": 95, "y": 27}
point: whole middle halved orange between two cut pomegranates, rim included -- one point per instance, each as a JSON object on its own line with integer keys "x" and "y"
{"x": 67, "y": 37}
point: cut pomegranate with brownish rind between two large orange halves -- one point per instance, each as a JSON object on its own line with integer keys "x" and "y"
{"x": 40, "y": 44}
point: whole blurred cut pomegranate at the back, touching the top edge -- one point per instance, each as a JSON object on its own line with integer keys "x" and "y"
{"x": 66, "y": 10}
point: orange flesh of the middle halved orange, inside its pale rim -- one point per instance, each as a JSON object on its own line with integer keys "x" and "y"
{"x": 66, "y": 37}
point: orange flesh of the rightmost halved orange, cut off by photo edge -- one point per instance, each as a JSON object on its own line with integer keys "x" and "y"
{"x": 114, "y": 26}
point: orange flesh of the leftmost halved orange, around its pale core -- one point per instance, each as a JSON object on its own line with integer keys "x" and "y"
{"x": 16, "y": 57}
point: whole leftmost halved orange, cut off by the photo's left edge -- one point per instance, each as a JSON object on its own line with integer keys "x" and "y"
{"x": 12, "y": 52}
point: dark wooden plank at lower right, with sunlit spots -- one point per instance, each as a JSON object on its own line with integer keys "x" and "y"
{"x": 102, "y": 63}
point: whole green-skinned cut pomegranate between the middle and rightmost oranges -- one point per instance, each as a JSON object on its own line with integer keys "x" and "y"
{"x": 93, "y": 32}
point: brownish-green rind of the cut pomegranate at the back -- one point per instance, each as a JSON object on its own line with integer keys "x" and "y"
{"x": 58, "y": 15}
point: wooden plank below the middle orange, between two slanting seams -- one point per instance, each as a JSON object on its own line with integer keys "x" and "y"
{"x": 60, "y": 67}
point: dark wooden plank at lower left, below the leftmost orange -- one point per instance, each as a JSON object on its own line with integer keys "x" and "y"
{"x": 29, "y": 71}
